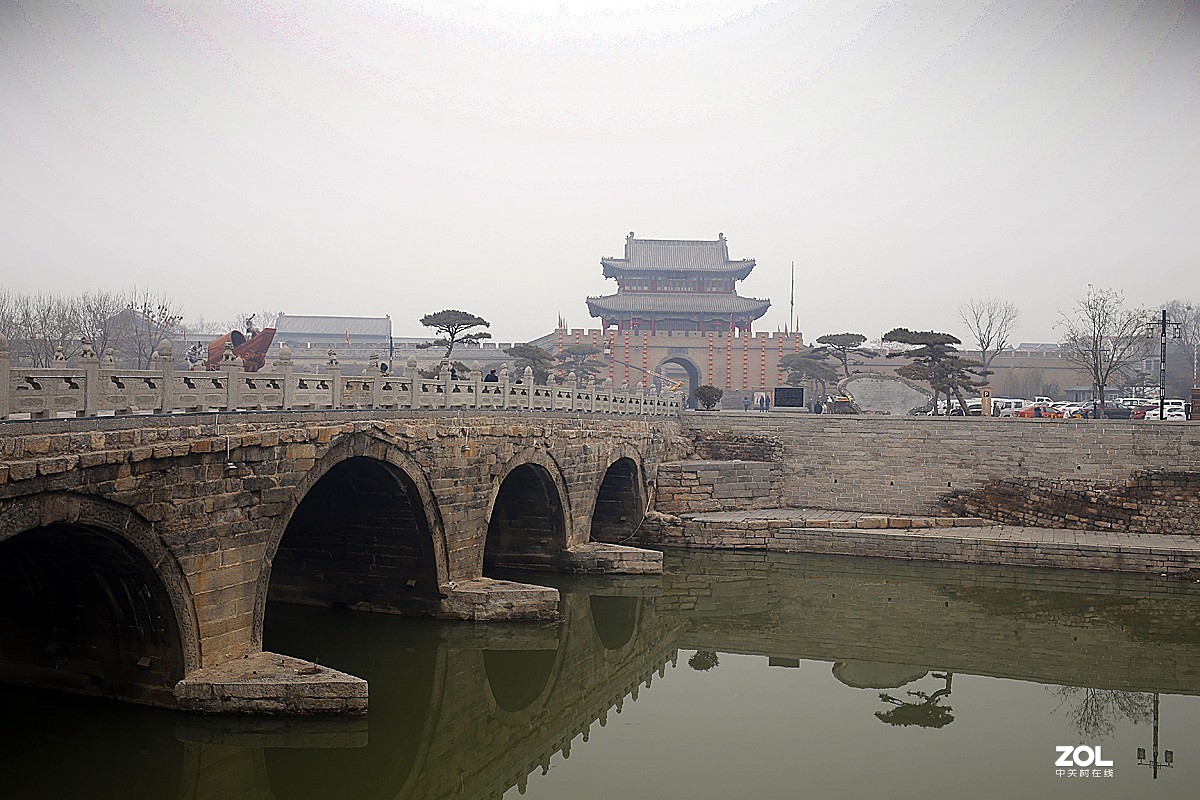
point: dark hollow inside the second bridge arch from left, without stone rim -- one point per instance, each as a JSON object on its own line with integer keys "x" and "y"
{"x": 361, "y": 539}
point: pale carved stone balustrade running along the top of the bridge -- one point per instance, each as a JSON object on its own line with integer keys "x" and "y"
{"x": 91, "y": 386}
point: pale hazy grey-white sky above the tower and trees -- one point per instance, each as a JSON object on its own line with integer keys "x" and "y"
{"x": 400, "y": 158}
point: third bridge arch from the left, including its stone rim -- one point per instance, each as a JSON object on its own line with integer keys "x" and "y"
{"x": 530, "y": 515}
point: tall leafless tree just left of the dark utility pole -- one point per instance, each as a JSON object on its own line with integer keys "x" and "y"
{"x": 1105, "y": 339}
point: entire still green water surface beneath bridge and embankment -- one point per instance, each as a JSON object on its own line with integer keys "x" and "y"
{"x": 730, "y": 677}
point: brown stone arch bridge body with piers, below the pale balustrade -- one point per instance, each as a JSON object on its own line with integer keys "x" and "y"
{"x": 139, "y": 555}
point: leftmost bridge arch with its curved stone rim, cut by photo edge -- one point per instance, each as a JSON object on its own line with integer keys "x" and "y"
{"x": 92, "y": 601}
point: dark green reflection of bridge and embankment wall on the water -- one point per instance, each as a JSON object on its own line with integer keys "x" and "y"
{"x": 472, "y": 711}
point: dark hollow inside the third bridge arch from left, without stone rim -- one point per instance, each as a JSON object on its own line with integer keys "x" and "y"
{"x": 527, "y": 528}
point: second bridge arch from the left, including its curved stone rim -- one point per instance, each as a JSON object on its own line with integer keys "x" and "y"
{"x": 388, "y": 546}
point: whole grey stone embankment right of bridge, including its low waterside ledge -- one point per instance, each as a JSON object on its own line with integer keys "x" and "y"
{"x": 1106, "y": 496}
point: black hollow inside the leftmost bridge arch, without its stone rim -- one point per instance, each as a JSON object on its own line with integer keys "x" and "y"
{"x": 83, "y": 611}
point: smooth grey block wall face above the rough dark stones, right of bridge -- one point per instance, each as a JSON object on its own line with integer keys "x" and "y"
{"x": 909, "y": 465}
